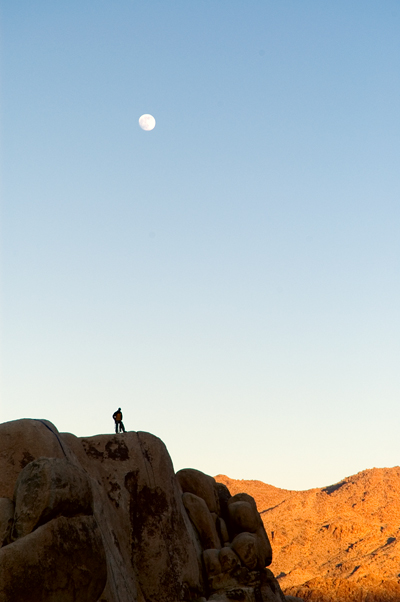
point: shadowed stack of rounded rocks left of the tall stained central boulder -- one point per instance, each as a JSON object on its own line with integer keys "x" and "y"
{"x": 52, "y": 547}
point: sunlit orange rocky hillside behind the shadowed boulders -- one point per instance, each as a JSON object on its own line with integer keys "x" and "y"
{"x": 340, "y": 542}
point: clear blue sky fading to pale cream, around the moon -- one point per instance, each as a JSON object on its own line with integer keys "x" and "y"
{"x": 232, "y": 278}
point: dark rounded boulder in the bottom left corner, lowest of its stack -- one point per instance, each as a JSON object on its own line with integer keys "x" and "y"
{"x": 62, "y": 561}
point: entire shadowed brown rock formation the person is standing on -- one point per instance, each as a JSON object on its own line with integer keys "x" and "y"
{"x": 105, "y": 519}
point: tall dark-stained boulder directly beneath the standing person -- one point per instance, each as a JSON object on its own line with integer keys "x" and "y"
{"x": 152, "y": 547}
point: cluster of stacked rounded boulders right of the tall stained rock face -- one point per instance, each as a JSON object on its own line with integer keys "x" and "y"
{"x": 235, "y": 547}
